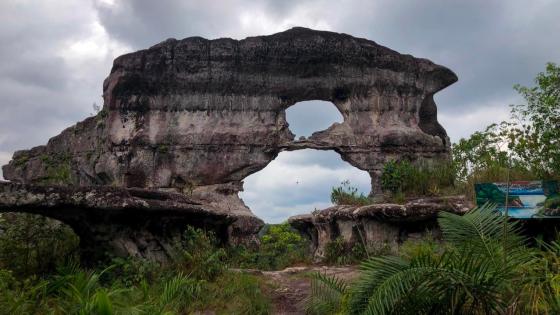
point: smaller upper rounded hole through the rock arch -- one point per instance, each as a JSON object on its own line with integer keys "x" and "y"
{"x": 307, "y": 117}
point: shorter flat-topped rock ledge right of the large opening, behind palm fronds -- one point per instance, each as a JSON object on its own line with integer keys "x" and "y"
{"x": 377, "y": 226}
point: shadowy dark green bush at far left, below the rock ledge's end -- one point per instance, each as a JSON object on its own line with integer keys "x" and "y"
{"x": 35, "y": 244}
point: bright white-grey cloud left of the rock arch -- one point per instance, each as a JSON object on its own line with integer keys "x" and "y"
{"x": 54, "y": 56}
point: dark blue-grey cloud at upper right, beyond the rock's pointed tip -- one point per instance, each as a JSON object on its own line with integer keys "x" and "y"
{"x": 491, "y": 45}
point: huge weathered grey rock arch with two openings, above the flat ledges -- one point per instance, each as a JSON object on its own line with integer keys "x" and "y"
{"x": 197, "y": 116}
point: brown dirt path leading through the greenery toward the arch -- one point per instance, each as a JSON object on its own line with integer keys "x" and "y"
{"x": 290, "y": 287}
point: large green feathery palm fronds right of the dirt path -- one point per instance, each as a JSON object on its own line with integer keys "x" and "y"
{"x": 484, "y": 268}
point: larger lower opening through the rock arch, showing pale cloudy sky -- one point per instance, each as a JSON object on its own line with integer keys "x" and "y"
{"x": 298, "y": 182}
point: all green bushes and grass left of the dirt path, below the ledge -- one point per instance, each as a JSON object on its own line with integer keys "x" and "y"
{"x": 39, "y": 275}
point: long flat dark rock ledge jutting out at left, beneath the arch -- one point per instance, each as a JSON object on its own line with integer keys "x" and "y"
{"x": 123, "y": 221}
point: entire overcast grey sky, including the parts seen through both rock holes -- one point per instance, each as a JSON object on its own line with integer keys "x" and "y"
{"x": 54, "y": 55}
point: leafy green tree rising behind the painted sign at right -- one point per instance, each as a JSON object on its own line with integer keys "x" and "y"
{"x": 528, "y": 144}
